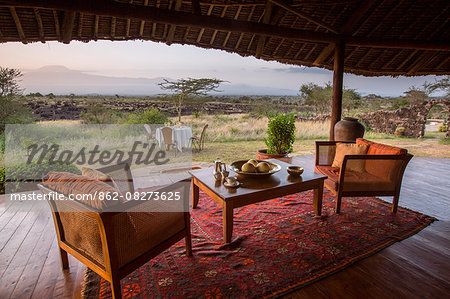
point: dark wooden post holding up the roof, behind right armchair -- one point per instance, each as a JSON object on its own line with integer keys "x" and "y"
{"x": 338, "y": 78}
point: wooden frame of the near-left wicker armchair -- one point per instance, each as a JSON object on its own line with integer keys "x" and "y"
{"x": 111, "y": 271}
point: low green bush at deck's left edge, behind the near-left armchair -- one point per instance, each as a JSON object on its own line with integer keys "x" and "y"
{"x": 18, "y": 175}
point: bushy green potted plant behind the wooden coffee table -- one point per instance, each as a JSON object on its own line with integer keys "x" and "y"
{"x": 280, "y": 137}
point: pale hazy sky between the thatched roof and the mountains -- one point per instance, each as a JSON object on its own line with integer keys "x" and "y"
{"x": 137, "y": 59}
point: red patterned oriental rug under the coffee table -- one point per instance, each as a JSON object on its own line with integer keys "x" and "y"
{"x": 278, "y": 246}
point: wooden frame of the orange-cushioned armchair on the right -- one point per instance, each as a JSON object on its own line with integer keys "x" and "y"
{"x": 341, "y": 192}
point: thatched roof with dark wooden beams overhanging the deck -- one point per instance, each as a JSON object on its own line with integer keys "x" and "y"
{"x": 382, "y": 37}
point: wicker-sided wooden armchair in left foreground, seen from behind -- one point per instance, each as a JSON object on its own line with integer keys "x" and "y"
{"x": 114, "y": 244}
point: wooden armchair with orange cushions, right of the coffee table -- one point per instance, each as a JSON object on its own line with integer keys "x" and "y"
{"x": 377, "y": 173}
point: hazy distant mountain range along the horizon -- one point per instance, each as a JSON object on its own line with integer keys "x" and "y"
{"x": 58, "y": 79}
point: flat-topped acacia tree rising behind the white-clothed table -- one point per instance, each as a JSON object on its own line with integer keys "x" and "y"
{"x": 183, "y": 88}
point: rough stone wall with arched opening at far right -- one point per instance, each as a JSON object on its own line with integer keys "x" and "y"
{"x": 412, "y": 118}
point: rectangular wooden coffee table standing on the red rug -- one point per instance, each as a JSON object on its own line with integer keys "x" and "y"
{"x": 254, "y": 190}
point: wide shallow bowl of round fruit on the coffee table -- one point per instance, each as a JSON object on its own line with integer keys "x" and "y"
{"x": 254, "y": 168}
